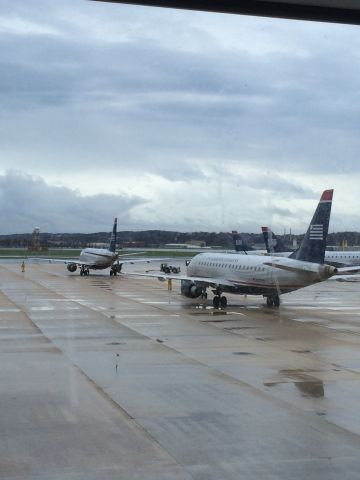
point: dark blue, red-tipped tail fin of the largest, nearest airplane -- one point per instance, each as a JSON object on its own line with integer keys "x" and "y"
{"x": 312, "y": 248}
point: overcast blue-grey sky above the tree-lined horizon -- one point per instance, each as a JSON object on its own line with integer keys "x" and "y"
{"x": 174, "y": 120}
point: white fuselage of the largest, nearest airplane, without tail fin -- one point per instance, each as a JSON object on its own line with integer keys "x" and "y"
{"x": 252, "y": 273}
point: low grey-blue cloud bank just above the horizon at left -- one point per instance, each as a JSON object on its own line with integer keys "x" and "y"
{"x": 27, "y": 202}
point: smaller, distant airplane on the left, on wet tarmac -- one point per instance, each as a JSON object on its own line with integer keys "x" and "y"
{"x": 97, "y": 258}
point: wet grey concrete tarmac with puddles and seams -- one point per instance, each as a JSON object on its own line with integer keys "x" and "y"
{"x": 116, "y": 378}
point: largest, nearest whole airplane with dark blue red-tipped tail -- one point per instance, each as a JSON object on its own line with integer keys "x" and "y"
{"x": 258, "y": 275}
